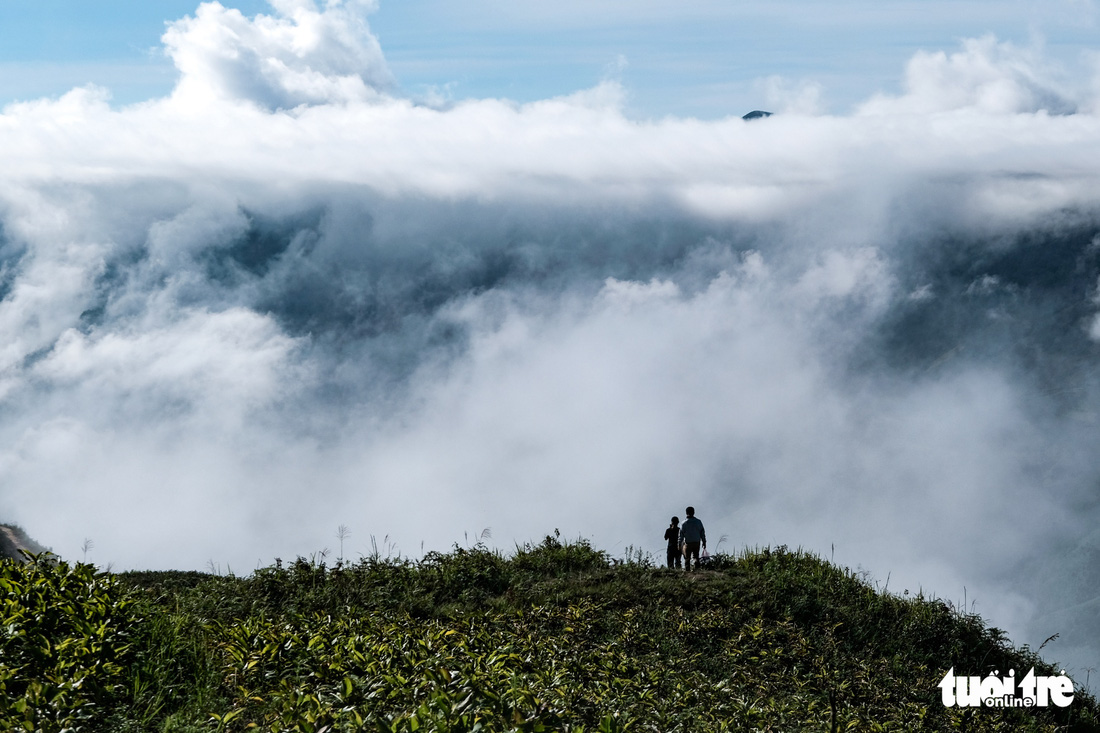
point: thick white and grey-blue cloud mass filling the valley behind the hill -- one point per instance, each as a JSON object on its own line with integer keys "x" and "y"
{"x": 287, "y": 298}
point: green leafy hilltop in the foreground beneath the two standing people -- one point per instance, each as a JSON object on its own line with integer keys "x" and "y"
{"x": 554, "y": 638}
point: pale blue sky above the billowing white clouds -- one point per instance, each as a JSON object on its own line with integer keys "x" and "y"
{"x": 703, "y": 59}
